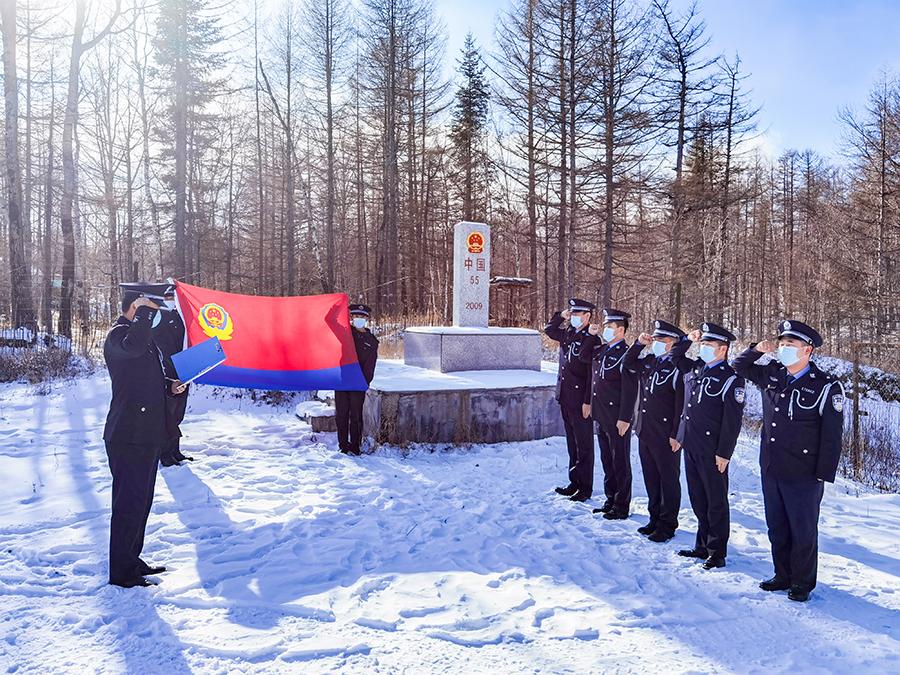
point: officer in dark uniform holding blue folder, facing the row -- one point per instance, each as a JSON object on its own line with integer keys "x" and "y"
{"x": 136, "y": 433}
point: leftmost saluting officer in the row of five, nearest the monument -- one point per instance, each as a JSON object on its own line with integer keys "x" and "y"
{"x": 574, "y": 394}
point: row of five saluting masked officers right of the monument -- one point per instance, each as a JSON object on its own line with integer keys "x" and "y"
{"x": 693, "y": 406}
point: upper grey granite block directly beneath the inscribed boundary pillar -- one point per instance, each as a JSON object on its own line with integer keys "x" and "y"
{"x": 451, "y": 349}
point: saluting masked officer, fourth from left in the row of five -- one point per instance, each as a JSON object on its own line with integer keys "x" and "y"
{"x": 710, "y": 424}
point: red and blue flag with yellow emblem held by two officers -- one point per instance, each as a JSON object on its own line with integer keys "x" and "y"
{"x": 290, "y": 344}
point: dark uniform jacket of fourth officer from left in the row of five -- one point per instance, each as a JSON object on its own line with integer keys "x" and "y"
{"x": 713, "y": 407}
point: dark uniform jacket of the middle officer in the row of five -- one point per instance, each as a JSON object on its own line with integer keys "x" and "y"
{"x": 660, "y": 394}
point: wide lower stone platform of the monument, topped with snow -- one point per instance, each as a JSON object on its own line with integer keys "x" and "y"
{"x": 406, "y": 404}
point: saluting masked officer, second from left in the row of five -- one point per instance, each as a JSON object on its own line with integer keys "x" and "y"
{"x": 613, "y": 391}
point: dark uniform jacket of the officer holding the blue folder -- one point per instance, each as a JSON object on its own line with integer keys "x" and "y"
{"x": 137, "y": 412}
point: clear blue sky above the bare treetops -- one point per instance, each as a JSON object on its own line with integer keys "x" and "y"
{"x": 806, "y": 58}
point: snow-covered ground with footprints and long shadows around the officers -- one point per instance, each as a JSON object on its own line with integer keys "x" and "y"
{"x": 286, "y": 556}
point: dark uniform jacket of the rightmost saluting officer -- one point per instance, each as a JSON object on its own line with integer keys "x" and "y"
{"x": 802, "y": 421}
